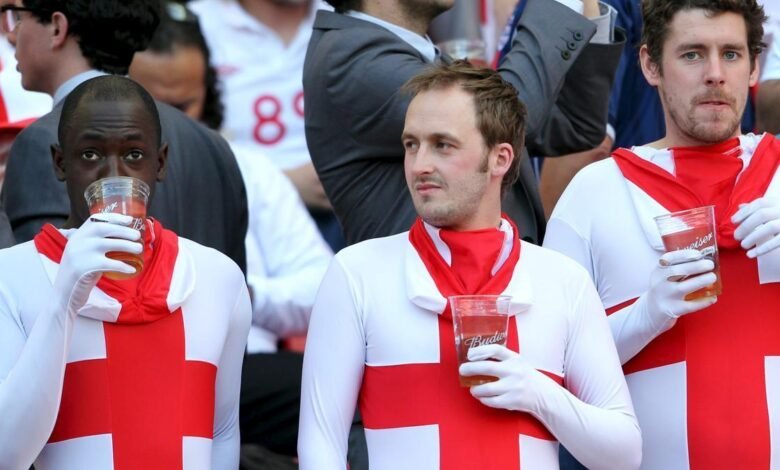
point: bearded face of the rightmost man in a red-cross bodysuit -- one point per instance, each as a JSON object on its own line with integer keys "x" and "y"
{"x": 704, "y": 77}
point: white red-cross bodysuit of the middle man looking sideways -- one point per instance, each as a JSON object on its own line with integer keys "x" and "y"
{"x": 377, "y": 335}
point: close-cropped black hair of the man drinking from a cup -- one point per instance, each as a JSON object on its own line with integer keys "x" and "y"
{"x": 111, "y": 88}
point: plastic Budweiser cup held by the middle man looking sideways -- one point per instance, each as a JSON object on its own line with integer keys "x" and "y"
{"x": 478, "y": 320}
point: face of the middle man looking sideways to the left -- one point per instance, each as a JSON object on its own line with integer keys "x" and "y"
{"x": 453, "y": 177}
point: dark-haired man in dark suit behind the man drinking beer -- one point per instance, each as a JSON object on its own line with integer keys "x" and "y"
{"x": 61, "y": 44}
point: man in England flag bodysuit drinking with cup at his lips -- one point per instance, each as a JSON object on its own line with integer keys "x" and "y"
{"x": 108, "y": 374}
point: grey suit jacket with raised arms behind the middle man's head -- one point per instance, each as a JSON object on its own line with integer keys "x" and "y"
{"x": 355, "y": 112}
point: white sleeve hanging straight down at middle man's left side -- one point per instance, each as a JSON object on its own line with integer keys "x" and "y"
{"x": 333, "y": 364}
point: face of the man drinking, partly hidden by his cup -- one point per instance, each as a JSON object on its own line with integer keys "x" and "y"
{"x": 105, "y": 139}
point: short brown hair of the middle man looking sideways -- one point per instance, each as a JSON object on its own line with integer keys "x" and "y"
{"x": 500, "y": 114}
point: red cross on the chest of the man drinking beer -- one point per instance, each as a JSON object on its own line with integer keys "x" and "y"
{"x": 145, "y": 394}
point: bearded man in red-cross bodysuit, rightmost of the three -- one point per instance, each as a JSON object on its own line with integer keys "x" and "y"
{"x": 703, "y": 383}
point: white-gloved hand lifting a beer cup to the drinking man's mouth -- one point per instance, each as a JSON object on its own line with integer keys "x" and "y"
{"x": 84, "y": 259}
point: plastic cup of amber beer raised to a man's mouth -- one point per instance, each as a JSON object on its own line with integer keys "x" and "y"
{"x": 121, "y": 195}
